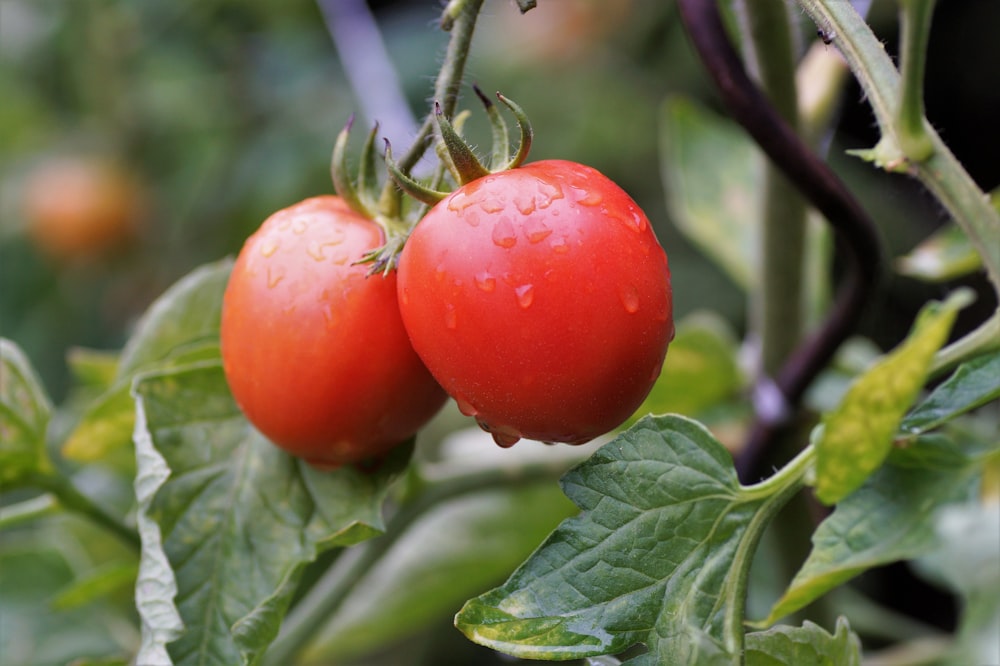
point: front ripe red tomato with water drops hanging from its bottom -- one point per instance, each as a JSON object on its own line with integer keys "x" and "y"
{"x": 540, "y": 299}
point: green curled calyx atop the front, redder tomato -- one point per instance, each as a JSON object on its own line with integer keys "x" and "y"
{"x": 457, "y": 155}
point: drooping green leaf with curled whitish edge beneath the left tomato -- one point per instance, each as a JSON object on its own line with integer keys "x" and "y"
{"x": 229, "y": 521}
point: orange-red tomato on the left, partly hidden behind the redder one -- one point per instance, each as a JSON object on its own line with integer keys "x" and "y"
{"x": 314, "y": 349}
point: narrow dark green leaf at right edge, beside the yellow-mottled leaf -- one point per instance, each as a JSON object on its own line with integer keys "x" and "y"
{"x": 972, "y": 385}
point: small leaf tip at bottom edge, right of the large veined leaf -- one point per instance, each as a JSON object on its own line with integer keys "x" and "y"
{"x": 808, "y": 644}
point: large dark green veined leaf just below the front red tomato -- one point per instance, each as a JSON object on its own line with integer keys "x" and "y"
{"x": 659, "y": 556}
